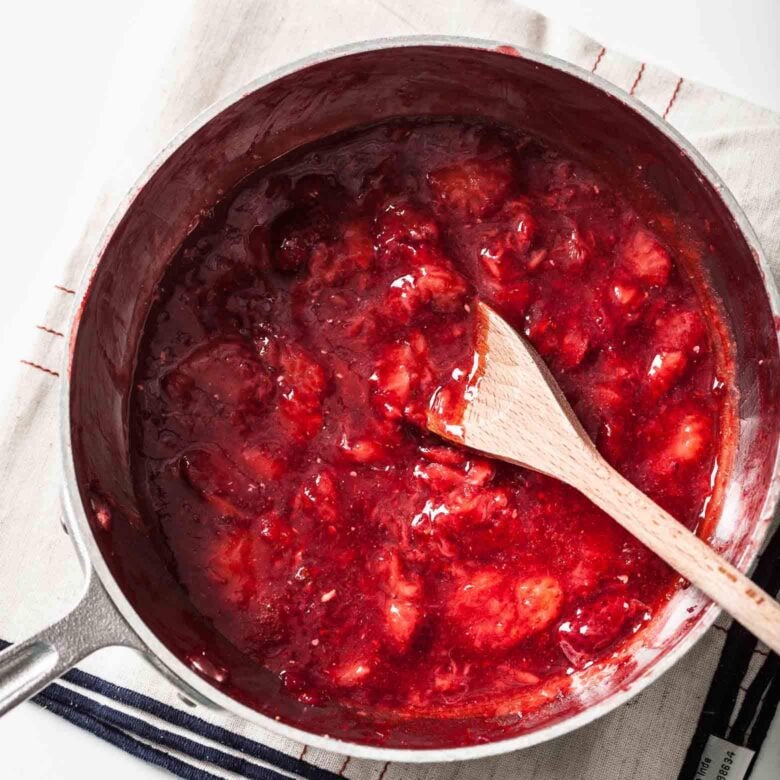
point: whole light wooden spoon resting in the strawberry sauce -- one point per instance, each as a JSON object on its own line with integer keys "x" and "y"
{"x": 514, "y": 410}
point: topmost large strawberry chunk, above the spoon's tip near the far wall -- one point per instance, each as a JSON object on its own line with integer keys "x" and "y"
{"x": 473, "y": 188}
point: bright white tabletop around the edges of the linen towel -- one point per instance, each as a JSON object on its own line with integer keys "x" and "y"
{"x": 70, "y": 74}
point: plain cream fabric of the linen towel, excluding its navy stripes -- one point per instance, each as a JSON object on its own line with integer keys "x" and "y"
{"x": 226, "y": 45}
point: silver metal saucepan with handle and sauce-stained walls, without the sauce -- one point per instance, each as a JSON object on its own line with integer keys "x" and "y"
{"x": 131, "y": 597}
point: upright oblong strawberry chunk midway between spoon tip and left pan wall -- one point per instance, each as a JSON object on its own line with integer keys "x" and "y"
{"x": 302, "y": 385}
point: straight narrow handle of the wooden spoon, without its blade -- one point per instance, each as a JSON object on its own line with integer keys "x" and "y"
{"x": 755, "y": 609}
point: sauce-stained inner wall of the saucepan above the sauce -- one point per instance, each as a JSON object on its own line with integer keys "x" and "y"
{"x": 319, "y": 101}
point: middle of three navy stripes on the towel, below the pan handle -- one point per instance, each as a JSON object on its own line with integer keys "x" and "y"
{"x": 160, "y": 737}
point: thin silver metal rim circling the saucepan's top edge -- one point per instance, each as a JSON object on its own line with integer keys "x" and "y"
{"x": 76, "y": 517}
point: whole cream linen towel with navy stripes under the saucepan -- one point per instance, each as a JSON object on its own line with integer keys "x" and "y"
{"x": 116, "y": 694}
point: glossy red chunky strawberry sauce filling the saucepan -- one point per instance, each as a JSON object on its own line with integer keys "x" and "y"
{"x": 281, "y": 392}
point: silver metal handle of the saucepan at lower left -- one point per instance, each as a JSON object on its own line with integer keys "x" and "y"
{"x": 29, "y": 666}
